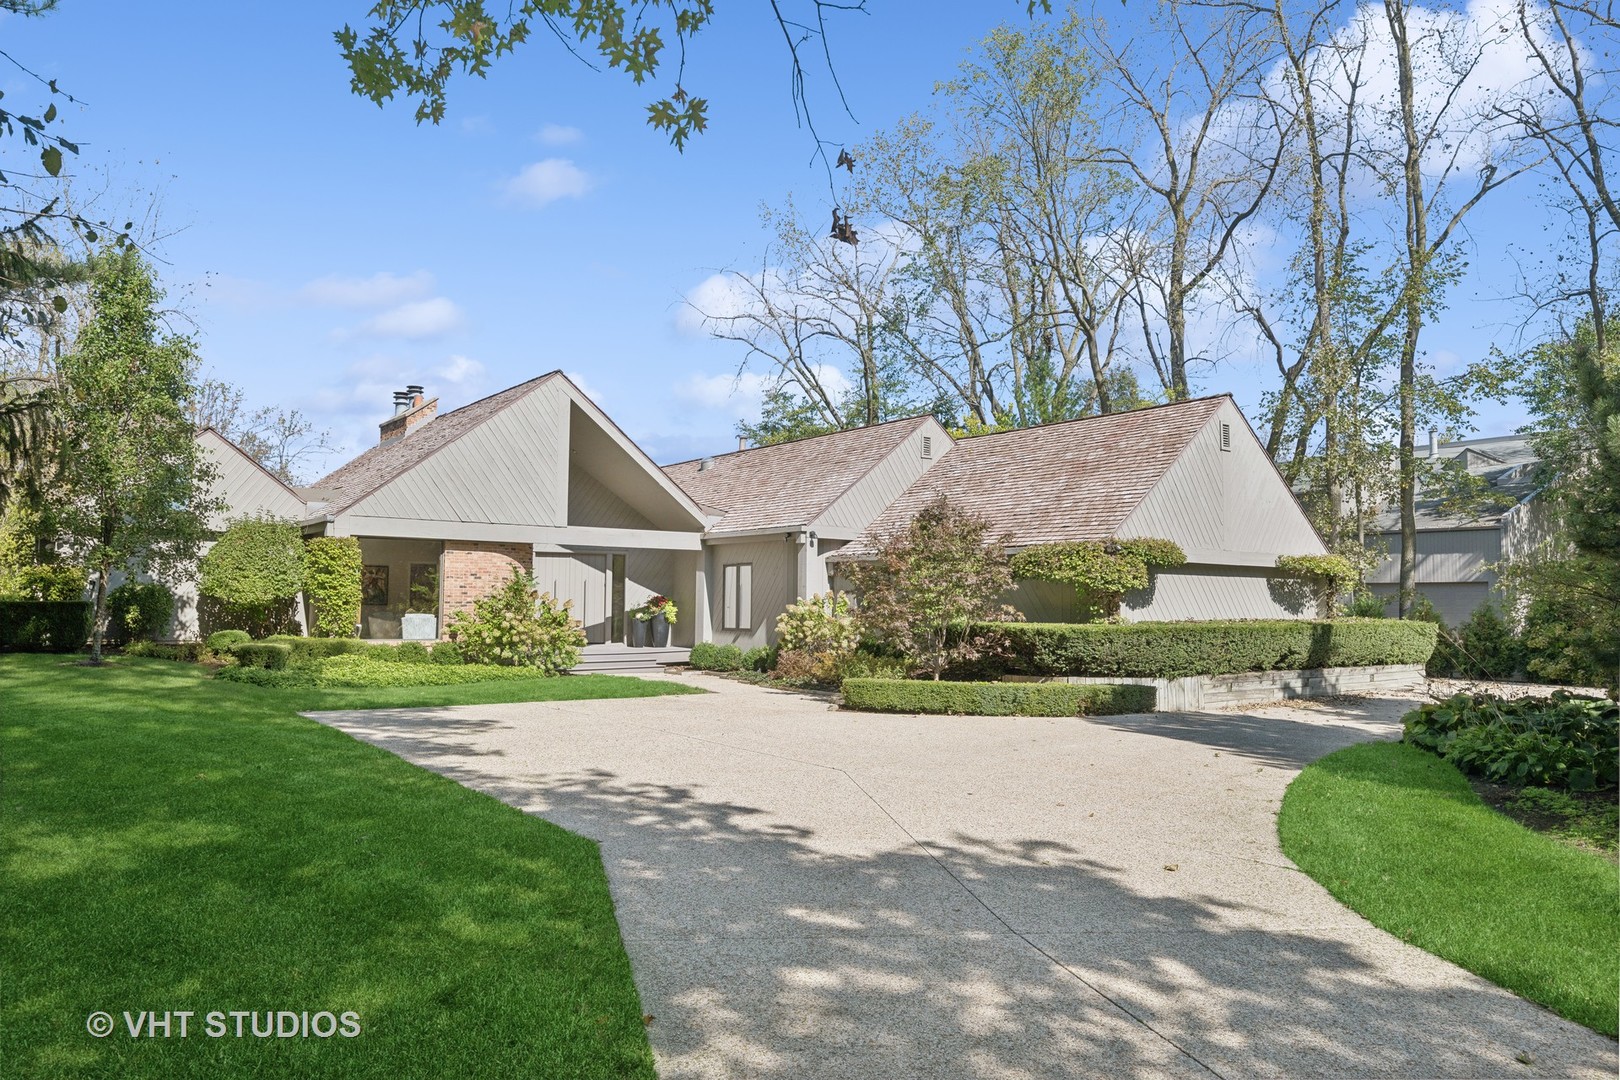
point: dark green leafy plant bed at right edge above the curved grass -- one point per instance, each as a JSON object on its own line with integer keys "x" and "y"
{"x": 1562, "y": 741}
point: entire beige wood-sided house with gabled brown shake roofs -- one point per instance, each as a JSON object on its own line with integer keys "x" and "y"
{"x": 539, "y": 478}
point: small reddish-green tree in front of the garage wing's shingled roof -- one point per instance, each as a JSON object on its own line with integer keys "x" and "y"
{"x": 931, "y": 582}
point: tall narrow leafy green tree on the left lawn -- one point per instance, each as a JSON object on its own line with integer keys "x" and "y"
{"x": 132, "y": 488}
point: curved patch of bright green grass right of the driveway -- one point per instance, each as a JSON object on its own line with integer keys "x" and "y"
{"x": 1400, "y": 836}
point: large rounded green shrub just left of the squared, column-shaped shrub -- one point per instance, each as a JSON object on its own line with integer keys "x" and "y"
{"x": 255, "y": 572}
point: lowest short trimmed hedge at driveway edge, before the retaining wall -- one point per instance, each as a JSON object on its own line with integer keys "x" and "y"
{"x": 914, "y": 695}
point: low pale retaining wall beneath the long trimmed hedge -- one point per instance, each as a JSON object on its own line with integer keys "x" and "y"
{"x": 1219, "y": 692}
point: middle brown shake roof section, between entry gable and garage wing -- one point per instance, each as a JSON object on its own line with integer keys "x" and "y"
{"x": 791, "y": 483}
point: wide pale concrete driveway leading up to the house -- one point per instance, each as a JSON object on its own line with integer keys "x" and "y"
{"x": 809, "y": 893}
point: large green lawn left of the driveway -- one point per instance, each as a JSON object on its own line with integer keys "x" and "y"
{"x": 173, "y": 843}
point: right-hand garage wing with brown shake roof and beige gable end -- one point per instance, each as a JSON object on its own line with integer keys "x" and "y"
{"x": 1192, "y": 472}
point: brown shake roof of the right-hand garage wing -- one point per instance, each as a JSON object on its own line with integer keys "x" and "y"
{"x": 1068, "y": 482}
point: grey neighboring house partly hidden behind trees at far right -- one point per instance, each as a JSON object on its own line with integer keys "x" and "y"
{"x": 1457, "y": 553}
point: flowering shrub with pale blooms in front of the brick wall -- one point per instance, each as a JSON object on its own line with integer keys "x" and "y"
{"x": 519, "y": 627}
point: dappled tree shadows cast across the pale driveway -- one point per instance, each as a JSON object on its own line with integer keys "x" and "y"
{"x": 774, "y": 943}
